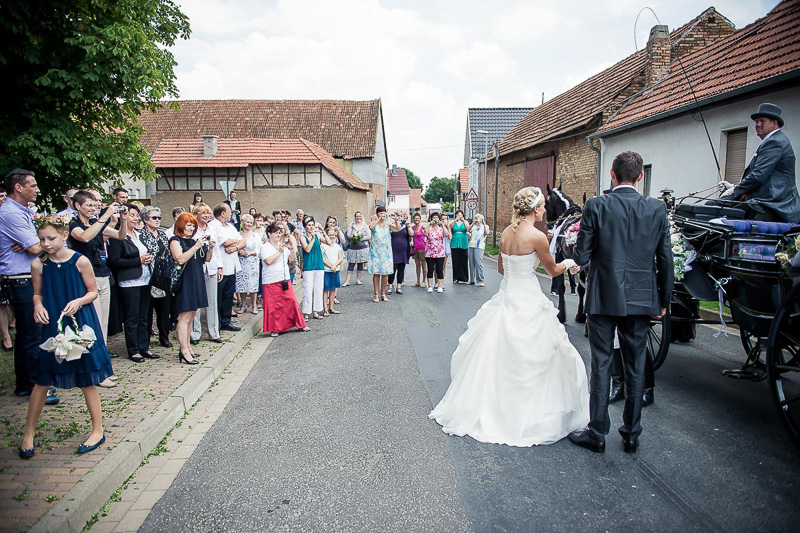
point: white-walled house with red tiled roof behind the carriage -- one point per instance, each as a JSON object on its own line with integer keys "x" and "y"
{"x": 759, "y": 63}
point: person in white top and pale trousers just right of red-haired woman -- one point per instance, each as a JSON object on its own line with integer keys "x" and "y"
{"x": 212, "y": 273}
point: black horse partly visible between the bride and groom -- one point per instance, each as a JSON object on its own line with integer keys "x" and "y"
{"x": 562, "y": 212}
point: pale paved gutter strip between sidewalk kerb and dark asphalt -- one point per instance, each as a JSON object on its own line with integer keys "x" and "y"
{"x": 129, "y": 507}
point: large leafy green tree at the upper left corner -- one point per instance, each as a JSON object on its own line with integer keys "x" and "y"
{"x": 76, "y": 75}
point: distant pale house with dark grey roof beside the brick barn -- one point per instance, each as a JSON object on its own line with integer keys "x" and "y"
{"x": 496, "y": 122}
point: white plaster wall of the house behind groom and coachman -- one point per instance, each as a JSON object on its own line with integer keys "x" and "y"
{"x": 678, "y": 149}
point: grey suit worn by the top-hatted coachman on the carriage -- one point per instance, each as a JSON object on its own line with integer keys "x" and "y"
{"x": 769, "y": 179}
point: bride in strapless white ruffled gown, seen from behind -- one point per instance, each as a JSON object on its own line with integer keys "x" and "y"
{"x": 515, "y": 377}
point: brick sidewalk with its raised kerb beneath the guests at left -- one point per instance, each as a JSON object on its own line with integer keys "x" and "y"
{"x": 58, "y": 490}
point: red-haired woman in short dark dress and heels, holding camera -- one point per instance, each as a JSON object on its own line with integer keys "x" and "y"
{"x": 191, "y": 254}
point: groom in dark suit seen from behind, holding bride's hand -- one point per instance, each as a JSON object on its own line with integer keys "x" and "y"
{"x": 625, "y": 237}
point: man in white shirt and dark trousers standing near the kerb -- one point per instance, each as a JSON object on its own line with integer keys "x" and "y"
{"x": 229, "y": 242}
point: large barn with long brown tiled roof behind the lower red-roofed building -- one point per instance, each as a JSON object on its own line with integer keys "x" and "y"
{"x": 351, "y": 131}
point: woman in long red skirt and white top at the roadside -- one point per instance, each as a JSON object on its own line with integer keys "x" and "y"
{"x": 281, "y": 312}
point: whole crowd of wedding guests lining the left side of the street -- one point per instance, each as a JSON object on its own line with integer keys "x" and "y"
{"x": 231, "y": 264}
